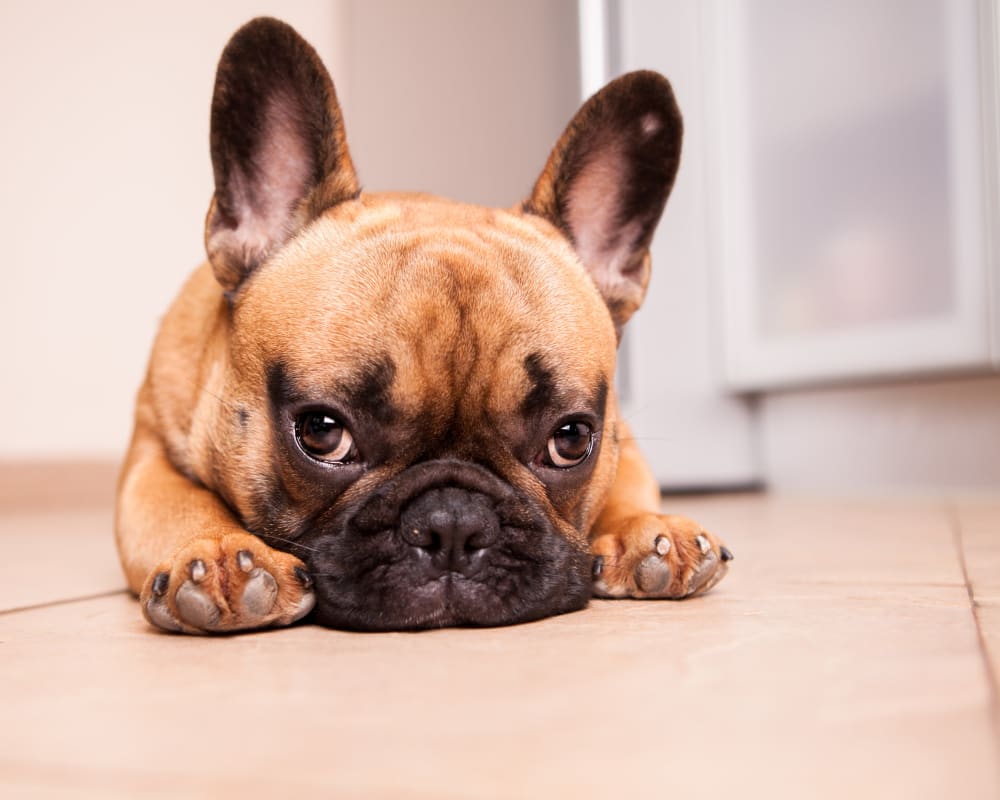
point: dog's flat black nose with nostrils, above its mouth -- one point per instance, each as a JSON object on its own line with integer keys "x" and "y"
{"x": 451, "y": 525}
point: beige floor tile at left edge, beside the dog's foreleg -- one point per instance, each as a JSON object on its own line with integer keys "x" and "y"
{"x": 55, "y": 556}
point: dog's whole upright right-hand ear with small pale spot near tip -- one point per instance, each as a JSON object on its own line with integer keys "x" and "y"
{"x": 607, "y": 181}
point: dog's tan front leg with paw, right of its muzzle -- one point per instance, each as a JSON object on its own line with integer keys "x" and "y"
{"x": 639, "y": 552}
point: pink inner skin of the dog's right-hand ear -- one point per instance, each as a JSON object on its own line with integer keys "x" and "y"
{"x": 594, "y": 205}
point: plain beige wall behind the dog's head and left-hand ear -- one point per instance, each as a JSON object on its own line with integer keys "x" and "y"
{"x": 106, "y": 176}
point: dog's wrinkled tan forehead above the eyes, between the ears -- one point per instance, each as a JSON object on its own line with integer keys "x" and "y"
{"x": 456, "y": 301}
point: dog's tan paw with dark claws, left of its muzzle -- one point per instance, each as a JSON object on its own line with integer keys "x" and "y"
{"x": 232, "y": 583}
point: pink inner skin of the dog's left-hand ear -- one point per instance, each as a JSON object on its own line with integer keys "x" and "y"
{"x": 283, "y": 171}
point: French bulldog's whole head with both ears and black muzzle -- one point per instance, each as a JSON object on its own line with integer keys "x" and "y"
{"x": 418, "y": 394}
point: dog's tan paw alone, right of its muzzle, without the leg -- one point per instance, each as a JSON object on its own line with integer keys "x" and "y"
{"x": 656, "y": 555}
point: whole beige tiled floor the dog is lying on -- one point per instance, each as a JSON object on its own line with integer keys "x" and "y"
{"x": 853, "y": 652}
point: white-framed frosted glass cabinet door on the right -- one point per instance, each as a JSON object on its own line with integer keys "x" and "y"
{"x": 855, "y": 174}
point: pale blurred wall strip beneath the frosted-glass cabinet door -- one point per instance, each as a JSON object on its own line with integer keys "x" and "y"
{"x": 919, "y": 436}
